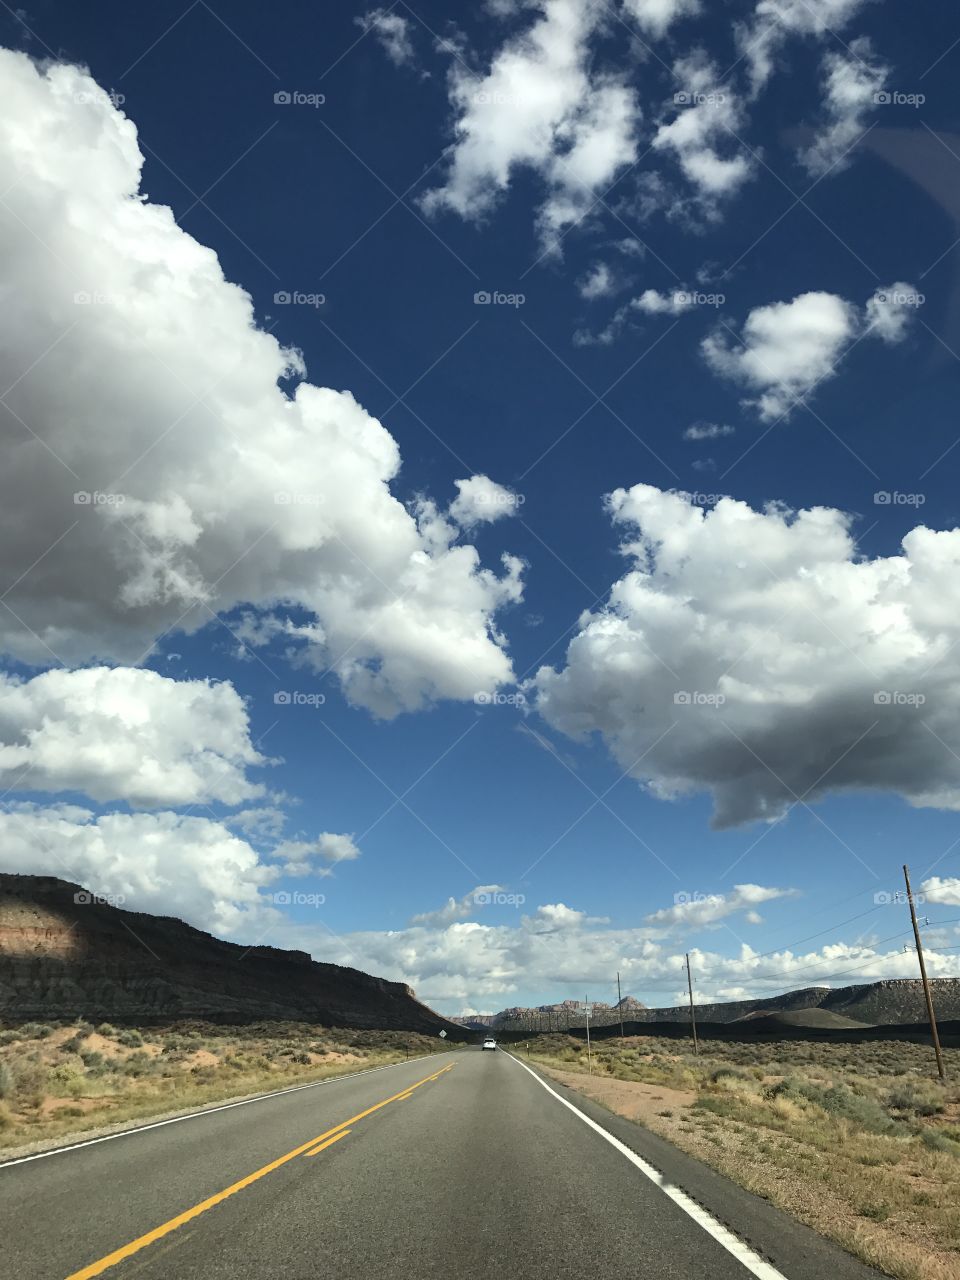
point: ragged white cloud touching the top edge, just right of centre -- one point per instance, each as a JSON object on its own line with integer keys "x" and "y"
{"x": 540, "y": 107}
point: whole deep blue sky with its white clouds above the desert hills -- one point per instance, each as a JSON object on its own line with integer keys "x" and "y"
{"x": 739, "y": 228}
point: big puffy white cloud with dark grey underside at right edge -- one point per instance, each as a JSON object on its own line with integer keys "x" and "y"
{"x": 760, "y": 657}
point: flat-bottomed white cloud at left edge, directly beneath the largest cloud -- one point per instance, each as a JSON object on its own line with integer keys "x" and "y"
{"x": 121, "y": 734}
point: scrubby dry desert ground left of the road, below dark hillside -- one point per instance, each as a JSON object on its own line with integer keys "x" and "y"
{"x": 61, "y": 1080}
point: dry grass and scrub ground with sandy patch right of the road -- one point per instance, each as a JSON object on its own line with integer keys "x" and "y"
{"x": 857, "y": 1141}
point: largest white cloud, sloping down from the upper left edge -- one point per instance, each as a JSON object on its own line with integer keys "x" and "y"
{"x": 139, "y": 377}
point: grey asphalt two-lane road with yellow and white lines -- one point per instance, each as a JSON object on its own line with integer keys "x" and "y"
{"x": 463, "y": 1164}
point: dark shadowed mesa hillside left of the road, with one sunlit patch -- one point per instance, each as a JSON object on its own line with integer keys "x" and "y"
{"x": 61, "y": 959}
